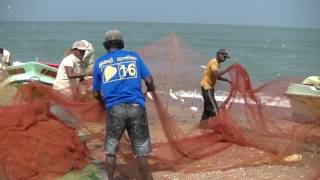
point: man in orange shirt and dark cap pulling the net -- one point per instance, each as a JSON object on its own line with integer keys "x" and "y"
{"x": 212, "y": 73}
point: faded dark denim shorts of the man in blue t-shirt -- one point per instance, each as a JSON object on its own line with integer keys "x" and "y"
{"x": 133, "y": 118}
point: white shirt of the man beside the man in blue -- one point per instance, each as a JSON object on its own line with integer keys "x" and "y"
{"x": 62, "y": 82}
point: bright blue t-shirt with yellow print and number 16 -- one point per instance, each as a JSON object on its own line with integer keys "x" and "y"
{"x": 117, "y": 75}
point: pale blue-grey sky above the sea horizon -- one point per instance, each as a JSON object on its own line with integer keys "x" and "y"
{"x": 283, "y": 13}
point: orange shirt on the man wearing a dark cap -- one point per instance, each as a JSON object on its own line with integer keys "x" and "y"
{"x": 209, "y": 79}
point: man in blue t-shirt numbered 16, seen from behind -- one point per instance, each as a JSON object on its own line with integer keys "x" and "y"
{"x": 117, "y": 77}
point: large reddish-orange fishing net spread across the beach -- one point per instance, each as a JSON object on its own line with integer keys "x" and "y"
{"x": 46, "y": 135}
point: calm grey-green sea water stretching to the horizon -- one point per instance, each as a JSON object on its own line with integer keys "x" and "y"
{"x": 266, "y": 52}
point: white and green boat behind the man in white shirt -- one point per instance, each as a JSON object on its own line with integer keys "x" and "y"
{"x": 31, "y": 71}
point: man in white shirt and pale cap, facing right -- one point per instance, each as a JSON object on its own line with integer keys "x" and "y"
{"x": 70, "y": 71}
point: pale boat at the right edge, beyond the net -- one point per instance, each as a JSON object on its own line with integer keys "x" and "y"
{"x": 304, "y": 102}
